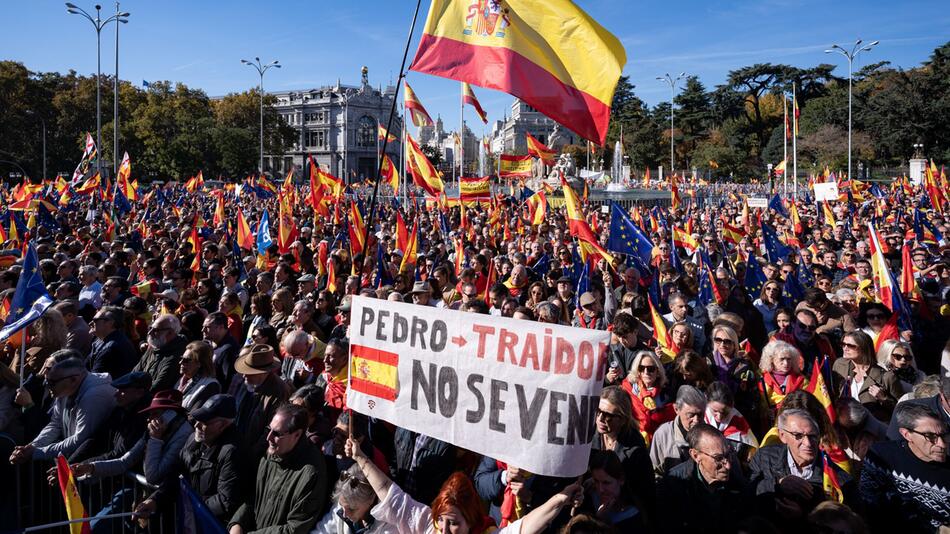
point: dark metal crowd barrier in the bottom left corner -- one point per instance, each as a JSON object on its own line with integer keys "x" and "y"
{"x": 38, "y": 506}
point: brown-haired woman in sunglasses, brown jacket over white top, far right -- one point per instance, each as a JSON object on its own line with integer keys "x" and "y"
{"x": 857, "y": 375}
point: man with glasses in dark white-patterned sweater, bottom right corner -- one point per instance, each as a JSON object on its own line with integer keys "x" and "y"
{"x": 905, "y": 484}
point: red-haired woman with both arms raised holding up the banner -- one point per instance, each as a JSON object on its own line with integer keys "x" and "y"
{"x": 457, "y": 508}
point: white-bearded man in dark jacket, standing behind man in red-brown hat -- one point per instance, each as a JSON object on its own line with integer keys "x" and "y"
{"x": 165, "y": 349}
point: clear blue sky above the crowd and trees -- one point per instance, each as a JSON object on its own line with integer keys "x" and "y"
{"x": 201, "y": 43}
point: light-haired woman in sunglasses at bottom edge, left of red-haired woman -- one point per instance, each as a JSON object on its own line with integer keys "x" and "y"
{"x": 352, "y": 511}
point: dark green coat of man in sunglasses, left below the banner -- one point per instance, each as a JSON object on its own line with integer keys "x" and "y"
{"x": 289, "y": 494}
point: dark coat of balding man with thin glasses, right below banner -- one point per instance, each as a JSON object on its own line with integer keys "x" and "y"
{"x": 717, "y": 508}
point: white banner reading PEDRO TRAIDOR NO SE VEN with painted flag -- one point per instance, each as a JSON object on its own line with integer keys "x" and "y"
{"x": 521, "y": 392}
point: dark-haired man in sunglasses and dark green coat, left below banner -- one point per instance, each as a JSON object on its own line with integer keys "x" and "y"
{"x": 291, "y": 483}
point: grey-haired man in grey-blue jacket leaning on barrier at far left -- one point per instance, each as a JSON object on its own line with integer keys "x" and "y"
{"x": 83, "y": 403}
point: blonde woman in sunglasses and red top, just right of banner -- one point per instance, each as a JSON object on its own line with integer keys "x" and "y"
{"x": 644, "y": 384}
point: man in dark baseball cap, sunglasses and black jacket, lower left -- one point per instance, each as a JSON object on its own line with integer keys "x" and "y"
{"x": 209, "y": 462}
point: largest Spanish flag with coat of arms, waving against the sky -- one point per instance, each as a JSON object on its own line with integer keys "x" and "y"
{"x": 552, "y": 55}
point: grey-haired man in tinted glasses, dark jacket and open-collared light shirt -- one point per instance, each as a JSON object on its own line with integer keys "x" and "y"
{"x": 787, "y": 478}
